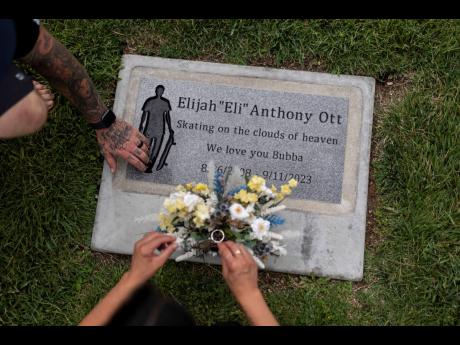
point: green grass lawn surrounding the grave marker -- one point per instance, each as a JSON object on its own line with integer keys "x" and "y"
{"x": 49, "y": 181}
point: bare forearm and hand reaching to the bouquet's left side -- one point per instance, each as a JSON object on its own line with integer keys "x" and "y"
{"x": 144, "y": 264}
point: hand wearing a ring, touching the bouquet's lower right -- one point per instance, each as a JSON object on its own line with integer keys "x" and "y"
{"x": 239, "y": 269}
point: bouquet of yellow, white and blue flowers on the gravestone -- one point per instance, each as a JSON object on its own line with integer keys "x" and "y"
{"x": 229, "y": 207}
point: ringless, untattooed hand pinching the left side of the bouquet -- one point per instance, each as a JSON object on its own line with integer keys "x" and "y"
{"x": 145, "y": 263}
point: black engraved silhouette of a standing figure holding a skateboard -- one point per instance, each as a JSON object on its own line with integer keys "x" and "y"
{"x": 155, "y": 115}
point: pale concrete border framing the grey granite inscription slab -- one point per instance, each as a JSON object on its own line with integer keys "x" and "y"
{"x": 317, "y": 243}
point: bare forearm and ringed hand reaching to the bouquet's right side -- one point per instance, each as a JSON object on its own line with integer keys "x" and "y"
{"x": 240, "y": 272}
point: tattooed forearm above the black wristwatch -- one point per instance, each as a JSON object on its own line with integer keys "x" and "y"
{"x": 53, "y": 61}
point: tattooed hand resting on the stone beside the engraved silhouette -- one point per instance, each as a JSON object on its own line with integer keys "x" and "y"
{"x": 123, "y": 140}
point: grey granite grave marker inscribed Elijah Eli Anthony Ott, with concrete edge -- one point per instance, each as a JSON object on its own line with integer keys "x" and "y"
{"x": 278, "y": 124}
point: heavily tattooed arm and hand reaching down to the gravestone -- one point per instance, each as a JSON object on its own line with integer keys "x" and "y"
{"x": 63, "y": 71}
